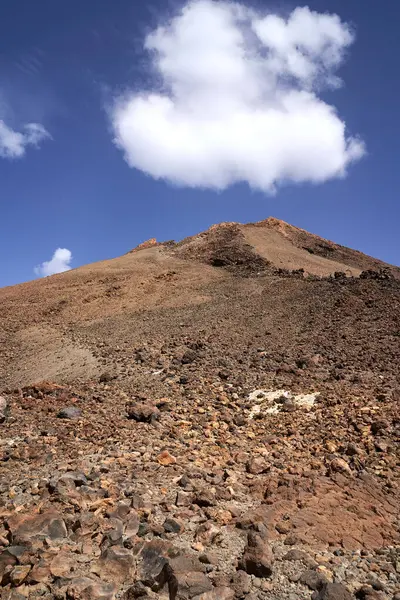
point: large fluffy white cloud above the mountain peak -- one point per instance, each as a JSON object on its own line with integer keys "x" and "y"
{"x": 238, "y": 99}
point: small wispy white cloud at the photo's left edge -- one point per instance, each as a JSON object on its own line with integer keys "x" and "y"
{"x": 13, "y": 143}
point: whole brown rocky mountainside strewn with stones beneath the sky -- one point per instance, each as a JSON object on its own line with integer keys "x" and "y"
{"x": 230, "y": 424}
